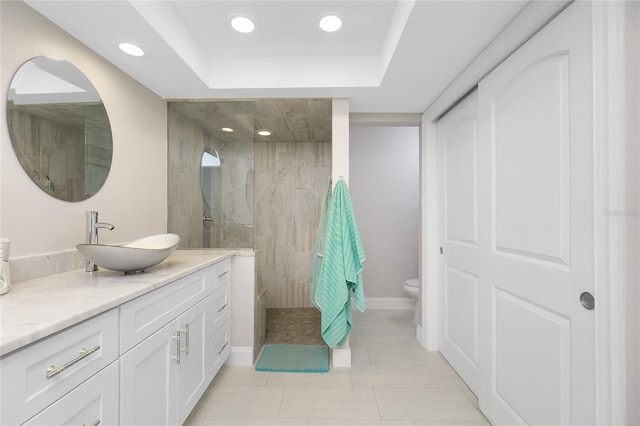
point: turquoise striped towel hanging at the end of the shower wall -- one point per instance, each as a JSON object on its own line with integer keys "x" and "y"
{"x": 341, "y": 269}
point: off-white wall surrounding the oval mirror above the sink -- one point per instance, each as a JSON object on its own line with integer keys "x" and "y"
{"x": 134, "y": 197}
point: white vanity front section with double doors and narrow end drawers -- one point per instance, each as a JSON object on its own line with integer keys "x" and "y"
{"x": 167, "y": 360}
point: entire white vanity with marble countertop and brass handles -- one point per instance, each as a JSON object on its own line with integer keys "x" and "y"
{"x": 95, "y": 356}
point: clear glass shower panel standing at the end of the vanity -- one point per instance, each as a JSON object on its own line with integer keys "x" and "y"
{"x": 211, "y": 168}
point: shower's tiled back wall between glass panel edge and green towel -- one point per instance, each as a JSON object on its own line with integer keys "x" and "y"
{"x": 290, "y": 184}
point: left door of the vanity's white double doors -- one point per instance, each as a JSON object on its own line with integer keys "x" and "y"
{"x": 148, "y": 380}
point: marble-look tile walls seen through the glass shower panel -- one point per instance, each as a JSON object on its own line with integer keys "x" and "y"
{"x": 232, "y": 201}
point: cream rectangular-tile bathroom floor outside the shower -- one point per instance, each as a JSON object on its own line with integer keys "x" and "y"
{"x": 393, "y": 381}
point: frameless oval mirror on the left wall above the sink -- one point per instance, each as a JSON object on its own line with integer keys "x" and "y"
{"x": 59, "y": 128}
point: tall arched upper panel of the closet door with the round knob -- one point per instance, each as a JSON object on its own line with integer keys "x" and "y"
{"x": 531, "y": 162}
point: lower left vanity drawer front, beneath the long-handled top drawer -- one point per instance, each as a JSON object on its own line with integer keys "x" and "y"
{"x": 93, "y": 402}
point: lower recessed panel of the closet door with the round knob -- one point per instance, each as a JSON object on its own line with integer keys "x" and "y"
{"x": 542, "y": 337}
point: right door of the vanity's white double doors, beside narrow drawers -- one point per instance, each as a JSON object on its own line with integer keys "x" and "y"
{"x": 192, "y": 381}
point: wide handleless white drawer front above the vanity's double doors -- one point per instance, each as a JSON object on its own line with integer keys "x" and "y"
{"x": 145, "y": 315}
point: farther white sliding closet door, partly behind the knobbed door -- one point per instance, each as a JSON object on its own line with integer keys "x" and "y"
{"x": 458, "y": 234}
